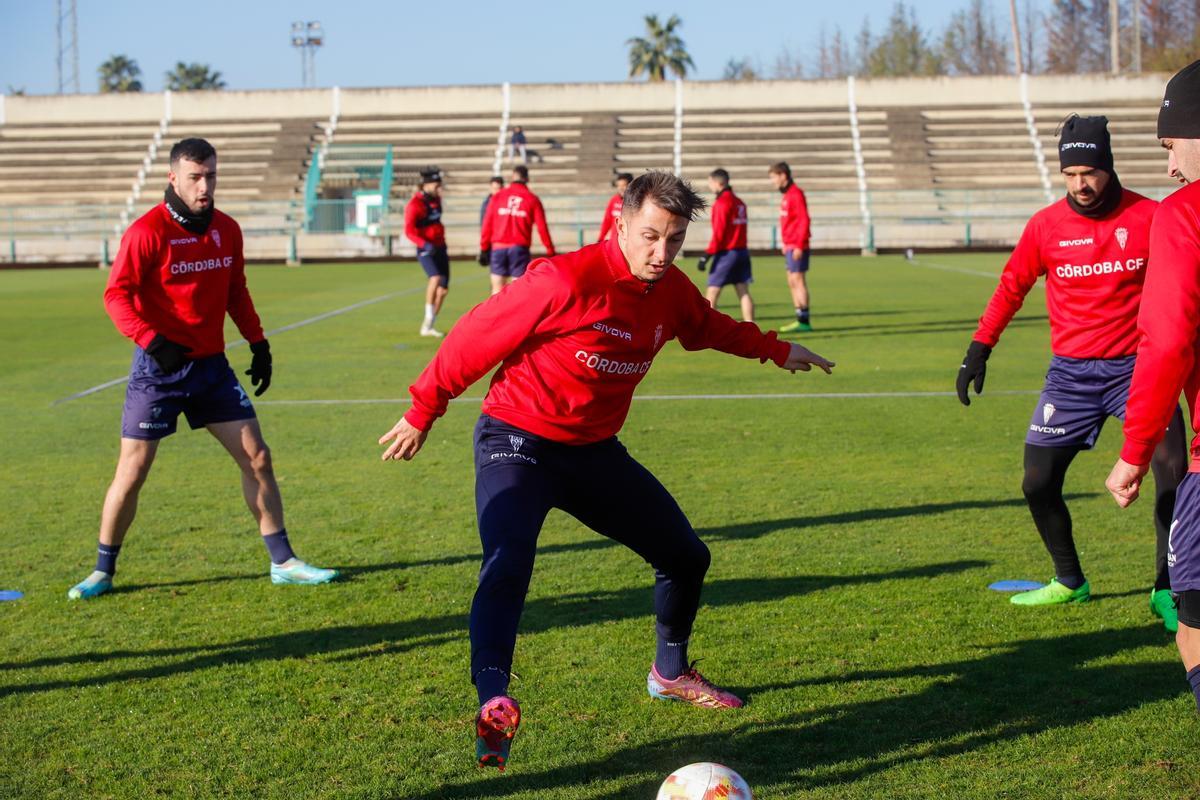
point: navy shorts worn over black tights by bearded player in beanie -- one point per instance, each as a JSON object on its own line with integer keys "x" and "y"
{"x": 1078, "y": 398}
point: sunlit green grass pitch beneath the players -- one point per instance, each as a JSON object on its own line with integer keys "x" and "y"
{"x": 854, "y": 540}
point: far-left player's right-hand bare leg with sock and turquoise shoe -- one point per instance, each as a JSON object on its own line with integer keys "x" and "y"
{"x": 244, "y": 441}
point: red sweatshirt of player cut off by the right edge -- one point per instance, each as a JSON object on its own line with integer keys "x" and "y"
{"x": 1169, "y": 324}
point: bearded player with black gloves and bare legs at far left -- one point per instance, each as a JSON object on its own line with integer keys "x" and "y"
{"x": 177, "y": 274}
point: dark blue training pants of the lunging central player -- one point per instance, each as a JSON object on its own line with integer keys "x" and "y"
{"x": 520, "y": 478}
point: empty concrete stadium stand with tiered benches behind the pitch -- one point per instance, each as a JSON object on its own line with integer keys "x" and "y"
{"x": 907, "y": 163}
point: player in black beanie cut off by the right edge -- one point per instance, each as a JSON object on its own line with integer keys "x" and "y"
{"x": 1169, "y": 323}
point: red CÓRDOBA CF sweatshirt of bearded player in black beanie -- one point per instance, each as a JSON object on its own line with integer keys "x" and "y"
{"x": 1095, "y": 270}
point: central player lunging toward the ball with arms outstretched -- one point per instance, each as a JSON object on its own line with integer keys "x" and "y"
{"x": 573, "y": 340}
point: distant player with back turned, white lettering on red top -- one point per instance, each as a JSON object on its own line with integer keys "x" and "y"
{"x": 508, "y": 231}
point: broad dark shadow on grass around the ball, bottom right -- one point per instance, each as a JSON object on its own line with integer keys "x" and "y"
{"x": 1025, "y": 689}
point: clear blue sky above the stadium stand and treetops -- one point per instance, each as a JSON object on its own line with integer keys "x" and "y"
{"x": 377, "y": 44}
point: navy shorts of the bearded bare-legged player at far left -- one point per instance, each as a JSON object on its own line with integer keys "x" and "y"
{"x": 206, "y": 392}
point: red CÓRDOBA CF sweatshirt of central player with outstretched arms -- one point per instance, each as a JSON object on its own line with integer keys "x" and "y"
{"x": 574, "y": 338}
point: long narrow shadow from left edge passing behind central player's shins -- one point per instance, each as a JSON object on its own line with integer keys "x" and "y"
{"x": 355, "y": 642}
